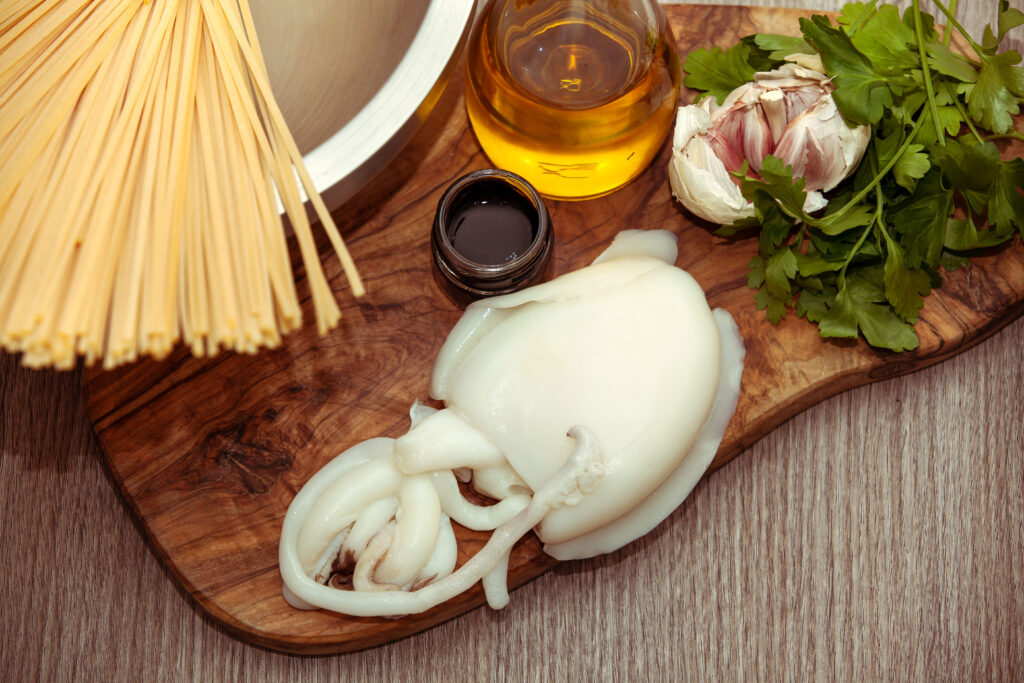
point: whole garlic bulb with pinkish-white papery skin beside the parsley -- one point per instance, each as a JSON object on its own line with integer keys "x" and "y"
{"x": 788, "y": 113}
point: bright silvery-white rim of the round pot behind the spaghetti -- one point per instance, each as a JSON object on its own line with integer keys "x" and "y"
{"x": 404, "y": 95}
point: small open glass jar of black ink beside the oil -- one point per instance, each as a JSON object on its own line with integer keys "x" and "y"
{"x": 492, "y": 236}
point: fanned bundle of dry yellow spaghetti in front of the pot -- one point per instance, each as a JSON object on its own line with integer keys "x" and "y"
{"x": 142, "y": 160}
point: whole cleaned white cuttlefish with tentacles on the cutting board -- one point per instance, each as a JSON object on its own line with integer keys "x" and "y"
{"x": 587, "y": 407}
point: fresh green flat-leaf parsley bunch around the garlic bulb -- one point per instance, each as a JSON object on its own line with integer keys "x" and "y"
{"x": 865, "y": 267}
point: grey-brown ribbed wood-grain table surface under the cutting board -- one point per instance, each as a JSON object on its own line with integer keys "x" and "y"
{"x": 878, "y": 536}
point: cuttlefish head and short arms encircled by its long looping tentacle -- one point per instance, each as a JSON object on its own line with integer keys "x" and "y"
{"x": 389, "y": 542}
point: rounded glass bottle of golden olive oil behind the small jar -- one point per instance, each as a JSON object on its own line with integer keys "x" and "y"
{"x": 575, "y": 96}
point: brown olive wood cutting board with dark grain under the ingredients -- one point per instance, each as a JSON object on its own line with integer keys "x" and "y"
{"x": 209, "y": 453}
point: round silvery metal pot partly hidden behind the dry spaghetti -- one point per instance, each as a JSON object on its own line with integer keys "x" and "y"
{"x": 356, "y": 78}
